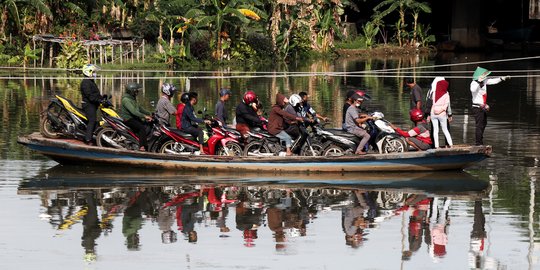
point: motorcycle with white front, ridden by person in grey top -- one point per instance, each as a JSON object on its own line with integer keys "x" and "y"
{"x": 383, "y": 138}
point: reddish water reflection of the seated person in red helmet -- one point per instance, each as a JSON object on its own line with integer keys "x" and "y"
{"x": 418, "y": 223}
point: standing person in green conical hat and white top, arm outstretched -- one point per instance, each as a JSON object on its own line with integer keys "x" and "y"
{"x": 479, "y": 99}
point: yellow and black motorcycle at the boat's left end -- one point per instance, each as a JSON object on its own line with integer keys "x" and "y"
{"x": 63, "y": 118}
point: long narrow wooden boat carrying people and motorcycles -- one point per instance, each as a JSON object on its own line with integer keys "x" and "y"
{"x": 67, "y": 152}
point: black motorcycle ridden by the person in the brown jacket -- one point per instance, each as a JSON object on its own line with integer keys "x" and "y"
{"x": 262, "y": 143}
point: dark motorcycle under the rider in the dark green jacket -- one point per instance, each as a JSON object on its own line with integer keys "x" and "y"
{"x": 118, "y": 135}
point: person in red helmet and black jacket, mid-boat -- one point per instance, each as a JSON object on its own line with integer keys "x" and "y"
{"x": 246, "y": 113}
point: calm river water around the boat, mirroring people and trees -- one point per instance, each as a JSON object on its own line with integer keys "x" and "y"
{"x": 87, "y": 217}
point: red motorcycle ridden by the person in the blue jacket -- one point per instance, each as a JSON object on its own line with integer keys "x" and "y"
{"x": 218, "y": 141}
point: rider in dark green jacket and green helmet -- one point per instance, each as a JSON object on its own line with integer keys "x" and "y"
{"x": 134, "y": 115}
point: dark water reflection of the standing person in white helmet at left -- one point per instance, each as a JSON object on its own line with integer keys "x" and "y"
{"x": 91, "y": 228}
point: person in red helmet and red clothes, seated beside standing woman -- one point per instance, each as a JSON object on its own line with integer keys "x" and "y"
{"x": 418, "y": 137}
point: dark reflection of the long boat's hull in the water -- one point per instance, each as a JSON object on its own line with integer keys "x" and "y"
{"x": 81, "y": 177}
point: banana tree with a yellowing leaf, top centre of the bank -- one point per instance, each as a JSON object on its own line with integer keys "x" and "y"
{"x": 222, "y": 17}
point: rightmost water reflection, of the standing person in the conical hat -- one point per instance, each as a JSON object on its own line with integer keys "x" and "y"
{"x": 478, "y": 237}
